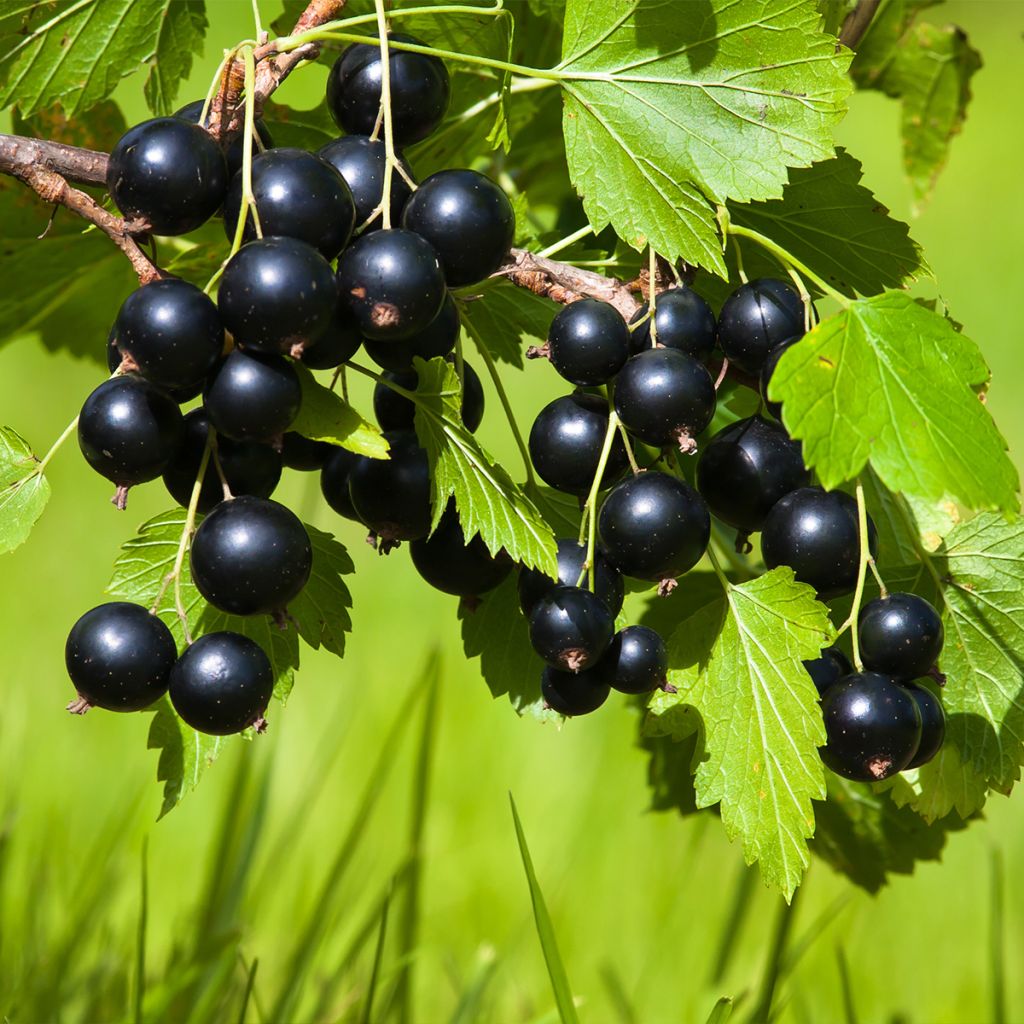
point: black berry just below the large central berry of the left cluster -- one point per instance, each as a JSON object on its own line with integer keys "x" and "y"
{"x": 253, "y": 397}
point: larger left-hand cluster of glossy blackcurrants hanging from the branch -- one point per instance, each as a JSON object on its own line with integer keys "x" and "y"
{"x": 281, "y": 302}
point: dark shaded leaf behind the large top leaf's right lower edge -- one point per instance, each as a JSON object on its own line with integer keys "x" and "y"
{"x": 834, "y": 225}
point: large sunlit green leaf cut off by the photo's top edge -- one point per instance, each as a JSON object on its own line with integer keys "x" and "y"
{"x": 672, "y": 108}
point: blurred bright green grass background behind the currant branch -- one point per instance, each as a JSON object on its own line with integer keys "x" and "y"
{"x": 247, "y": 869}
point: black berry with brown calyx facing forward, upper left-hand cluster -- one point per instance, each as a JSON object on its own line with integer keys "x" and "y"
{"x": 394, "y": 284}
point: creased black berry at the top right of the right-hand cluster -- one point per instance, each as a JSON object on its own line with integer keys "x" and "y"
{"x": 757, "y": 318}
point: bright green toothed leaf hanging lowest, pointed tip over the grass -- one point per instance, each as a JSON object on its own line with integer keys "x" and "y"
{"x": 738, "y": 667}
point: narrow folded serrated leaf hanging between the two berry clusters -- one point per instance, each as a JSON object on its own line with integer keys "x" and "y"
{"x": 488, "y": 501}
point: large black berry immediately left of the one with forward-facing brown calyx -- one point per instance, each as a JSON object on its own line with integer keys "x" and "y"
{"x": 277, "y": 293}
